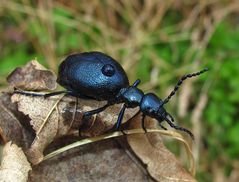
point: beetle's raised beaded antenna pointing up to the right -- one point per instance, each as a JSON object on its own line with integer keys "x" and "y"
{"x": 181, "y": 81}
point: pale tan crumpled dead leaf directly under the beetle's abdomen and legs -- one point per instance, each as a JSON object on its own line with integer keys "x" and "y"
{"x": 59, "y": 121}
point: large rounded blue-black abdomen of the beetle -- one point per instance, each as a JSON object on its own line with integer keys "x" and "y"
{"x": 92, "y": 74}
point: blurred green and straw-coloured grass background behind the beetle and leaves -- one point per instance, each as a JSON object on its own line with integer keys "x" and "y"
{"x": 157, "y": 41}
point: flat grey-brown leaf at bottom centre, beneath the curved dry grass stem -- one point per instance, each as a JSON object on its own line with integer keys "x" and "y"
{"x": 100, "y": 161}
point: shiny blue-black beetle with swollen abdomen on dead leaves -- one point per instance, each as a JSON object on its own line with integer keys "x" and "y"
{"x": 95, "y": 75}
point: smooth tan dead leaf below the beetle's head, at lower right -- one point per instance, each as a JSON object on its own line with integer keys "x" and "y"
{"x": 161, "y": 164}
